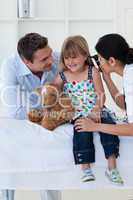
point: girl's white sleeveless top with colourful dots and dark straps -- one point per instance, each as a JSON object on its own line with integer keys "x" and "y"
{"x": 82, "y": 94}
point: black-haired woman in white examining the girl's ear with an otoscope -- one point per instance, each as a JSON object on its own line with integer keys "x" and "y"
{"x": 115, "y": 55}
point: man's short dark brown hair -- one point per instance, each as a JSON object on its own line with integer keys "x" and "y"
{"x": 29, "y": 44}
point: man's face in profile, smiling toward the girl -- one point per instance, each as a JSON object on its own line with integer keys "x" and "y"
{"x": 42, "y": 60}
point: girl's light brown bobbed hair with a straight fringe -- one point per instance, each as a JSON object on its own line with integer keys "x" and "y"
{"x": 73, "y": 46}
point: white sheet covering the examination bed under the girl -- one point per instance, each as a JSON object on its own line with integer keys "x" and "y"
{"x": 32, "y": 157}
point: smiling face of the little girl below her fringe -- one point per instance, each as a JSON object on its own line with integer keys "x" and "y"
{"x": 75, "y": 63}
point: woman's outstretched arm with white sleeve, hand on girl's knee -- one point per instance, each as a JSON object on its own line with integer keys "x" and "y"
{"x": 118, "y": 129}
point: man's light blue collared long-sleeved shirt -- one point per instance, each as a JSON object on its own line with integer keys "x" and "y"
{"x": 17, "y": 83}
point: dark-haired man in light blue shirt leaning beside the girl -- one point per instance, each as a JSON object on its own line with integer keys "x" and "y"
{"x": 31, "y": 66}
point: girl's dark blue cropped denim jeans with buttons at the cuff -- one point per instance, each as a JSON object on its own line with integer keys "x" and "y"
{"x": 83, "y": 146}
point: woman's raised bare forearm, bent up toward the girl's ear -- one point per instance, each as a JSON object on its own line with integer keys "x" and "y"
{"x": 117, "y": 97}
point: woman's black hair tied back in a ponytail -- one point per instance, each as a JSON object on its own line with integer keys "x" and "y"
{"x": 114, "y": 45}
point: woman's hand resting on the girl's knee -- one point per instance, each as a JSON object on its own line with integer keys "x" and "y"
{"x": 85, "y": 124}
